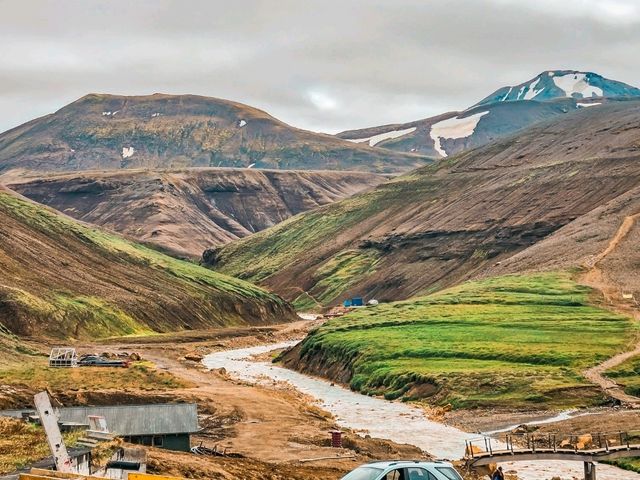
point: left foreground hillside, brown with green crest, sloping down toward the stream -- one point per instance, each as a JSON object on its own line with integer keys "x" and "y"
{"x": 62, "y": 279}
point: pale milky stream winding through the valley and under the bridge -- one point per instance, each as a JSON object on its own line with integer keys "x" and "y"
{"x": 397, "y": 421}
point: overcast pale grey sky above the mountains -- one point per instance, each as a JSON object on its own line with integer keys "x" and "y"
{"x": 325, "y": 65}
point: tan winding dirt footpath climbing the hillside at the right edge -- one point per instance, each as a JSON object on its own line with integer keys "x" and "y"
{"x": 594, "y": 277}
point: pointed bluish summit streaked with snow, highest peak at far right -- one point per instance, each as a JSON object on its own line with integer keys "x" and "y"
{"x": 553, "y": 84}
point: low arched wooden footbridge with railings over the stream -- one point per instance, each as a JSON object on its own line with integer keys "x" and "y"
{"x": 587, "y": 448}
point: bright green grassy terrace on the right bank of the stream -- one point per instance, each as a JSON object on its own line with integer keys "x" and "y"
{"x": 513, "y": 341}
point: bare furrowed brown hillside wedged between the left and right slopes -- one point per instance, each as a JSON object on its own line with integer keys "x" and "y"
{"x": 187, "y": 211}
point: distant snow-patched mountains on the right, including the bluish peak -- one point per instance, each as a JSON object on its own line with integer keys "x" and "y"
{"x": 506, "y": 111}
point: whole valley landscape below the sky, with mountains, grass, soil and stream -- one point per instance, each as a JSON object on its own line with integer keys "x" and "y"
{"x": 495, "y": 250}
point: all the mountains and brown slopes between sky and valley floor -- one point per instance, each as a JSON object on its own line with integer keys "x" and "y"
{"x": 537, "y": 183}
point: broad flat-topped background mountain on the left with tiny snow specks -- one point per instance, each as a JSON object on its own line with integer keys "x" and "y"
{"x": 177, "y": 131}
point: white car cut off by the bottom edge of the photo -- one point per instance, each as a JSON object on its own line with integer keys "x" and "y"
{"x": 404, "y": 470}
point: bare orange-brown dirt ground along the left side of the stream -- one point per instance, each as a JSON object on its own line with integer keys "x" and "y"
{"x": 279, "y": 432}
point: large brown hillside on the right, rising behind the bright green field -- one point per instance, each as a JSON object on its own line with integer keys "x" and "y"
{"x": 463, "y": 218}
